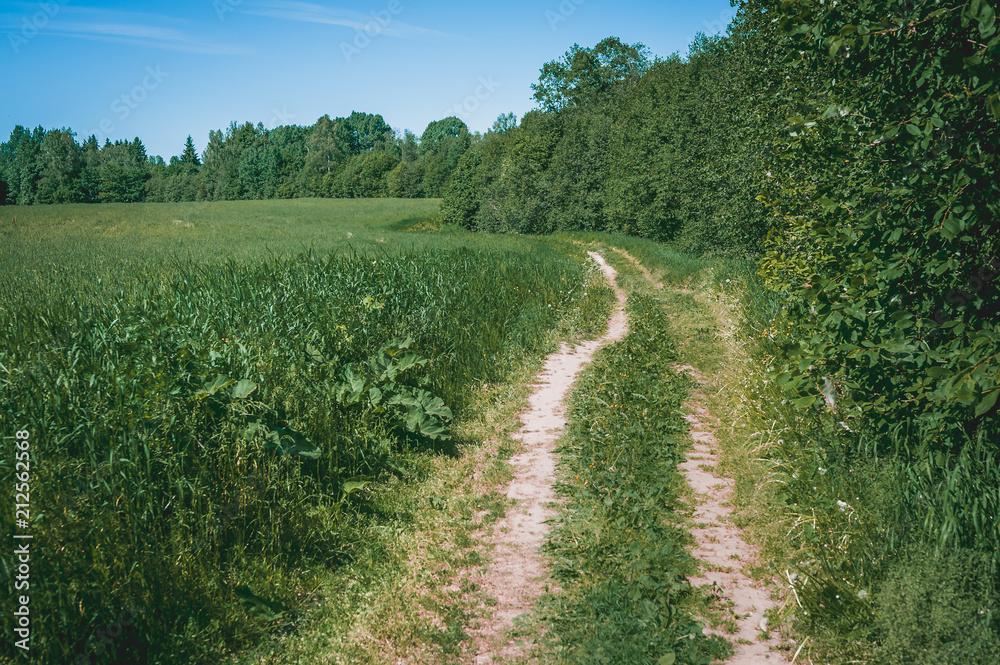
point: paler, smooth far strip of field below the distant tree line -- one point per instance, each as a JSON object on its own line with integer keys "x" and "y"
{"x": 78, "y": 233}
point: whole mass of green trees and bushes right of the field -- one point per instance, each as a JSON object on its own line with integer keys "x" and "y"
{"x": 852, "y": 150}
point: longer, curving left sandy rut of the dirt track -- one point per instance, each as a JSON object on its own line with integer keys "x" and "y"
{"x": 517, "y": 576}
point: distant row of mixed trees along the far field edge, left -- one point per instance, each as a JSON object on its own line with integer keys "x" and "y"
{"x": 359, "y": 156}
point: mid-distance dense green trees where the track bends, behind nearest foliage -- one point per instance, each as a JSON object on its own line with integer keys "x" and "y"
{"x": 664, "y": 149}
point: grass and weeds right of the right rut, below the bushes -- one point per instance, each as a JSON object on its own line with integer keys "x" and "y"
{"x": 881, "y": 529}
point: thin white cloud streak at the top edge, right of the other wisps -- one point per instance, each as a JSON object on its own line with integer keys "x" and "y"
{"x": 305, "y": 12}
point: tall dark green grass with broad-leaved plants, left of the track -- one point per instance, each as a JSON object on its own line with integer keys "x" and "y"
{"x": 199, "y": 427}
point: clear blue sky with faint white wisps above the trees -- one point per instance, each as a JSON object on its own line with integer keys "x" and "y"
{"x": 161, "y": 71}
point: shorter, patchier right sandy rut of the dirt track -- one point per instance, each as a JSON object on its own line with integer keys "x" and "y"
{"x": 721, "y": 547}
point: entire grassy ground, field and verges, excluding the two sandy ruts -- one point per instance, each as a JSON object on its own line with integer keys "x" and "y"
{"x": 247, "y": 419}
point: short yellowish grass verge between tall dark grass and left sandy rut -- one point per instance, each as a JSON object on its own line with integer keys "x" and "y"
{"x": 412, "y": 594}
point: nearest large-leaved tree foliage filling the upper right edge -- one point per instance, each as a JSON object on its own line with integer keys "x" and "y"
{"x": 887, "y": 231}
